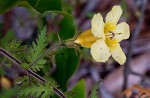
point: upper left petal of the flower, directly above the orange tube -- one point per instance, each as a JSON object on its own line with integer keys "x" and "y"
{"x": 98, "y": 26}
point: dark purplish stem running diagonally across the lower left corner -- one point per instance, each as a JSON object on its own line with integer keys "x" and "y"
{"x": 30, "y": 72}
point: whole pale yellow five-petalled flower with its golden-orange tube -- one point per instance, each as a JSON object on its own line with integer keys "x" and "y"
{"x": 103, "y": 38}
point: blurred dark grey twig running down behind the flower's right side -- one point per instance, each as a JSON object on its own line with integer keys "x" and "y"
{"x": 127, "y": 69}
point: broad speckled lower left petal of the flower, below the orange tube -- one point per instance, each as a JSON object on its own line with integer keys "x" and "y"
{"x": 100, "y": 51}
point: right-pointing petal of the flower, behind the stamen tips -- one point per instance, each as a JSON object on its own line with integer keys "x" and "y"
{"x": 122, "y": 31}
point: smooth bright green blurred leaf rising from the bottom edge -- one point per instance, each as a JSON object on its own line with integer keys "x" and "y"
{"x": 80, "y": 89}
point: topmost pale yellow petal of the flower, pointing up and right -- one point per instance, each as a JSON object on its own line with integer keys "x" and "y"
{"x": 114, "y": 15}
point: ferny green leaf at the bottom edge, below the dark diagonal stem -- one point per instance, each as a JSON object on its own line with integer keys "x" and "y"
{"x": 42, "y": 91}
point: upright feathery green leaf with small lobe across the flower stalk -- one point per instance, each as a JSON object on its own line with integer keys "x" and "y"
{"x": 37, "y": 49}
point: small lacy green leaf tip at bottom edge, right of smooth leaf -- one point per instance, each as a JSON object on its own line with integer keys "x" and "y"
{"x": 94, "y": 92}
